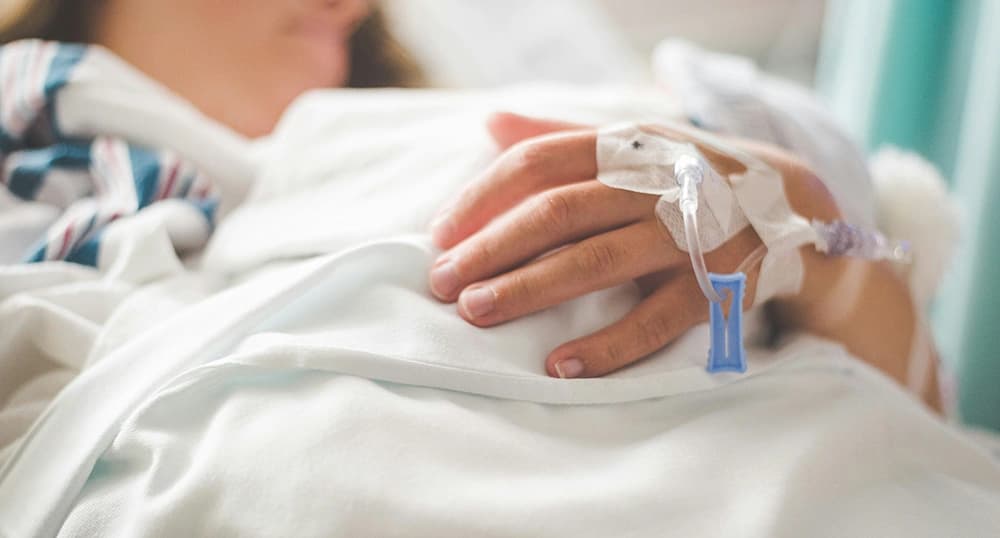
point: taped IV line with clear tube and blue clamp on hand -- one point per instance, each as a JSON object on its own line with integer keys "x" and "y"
{"x": 702, "y": 209}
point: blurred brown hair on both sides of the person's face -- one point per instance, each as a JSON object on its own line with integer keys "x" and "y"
{"x": 377, "y": 60}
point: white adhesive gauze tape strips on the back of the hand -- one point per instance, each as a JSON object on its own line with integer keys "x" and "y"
{"x": 640, "y": 159}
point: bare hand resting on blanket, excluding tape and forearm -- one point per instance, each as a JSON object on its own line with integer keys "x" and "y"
{"x": 541, "y": 195}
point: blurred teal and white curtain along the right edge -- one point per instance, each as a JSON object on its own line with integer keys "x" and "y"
{"x": 925, "y": 75}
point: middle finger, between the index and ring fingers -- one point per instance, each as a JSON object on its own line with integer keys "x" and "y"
{"x": 544, "y": 222}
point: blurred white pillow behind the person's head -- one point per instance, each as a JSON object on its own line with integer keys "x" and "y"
{"x": 485, "y": 43}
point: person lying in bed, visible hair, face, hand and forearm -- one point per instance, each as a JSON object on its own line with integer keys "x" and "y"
{"x": 242, "y": 63}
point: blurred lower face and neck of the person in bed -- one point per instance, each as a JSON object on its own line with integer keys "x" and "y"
{"x": 239, "y": 61}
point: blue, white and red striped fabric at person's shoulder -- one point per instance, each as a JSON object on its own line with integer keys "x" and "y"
{"x": 93, "y": 181}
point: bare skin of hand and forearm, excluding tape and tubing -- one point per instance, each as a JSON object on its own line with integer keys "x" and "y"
{"x": 541, "y": 195}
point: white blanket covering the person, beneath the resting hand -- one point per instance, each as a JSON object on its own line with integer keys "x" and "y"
{"x": 265, "y": 396}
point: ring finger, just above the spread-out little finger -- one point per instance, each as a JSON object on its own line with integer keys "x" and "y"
{"x": 599, "y": 262}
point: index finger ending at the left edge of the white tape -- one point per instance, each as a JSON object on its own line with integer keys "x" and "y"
{"x": 527, "y": 168}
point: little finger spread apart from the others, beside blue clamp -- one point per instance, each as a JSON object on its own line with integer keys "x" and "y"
{"x": 655, "y": 322}
